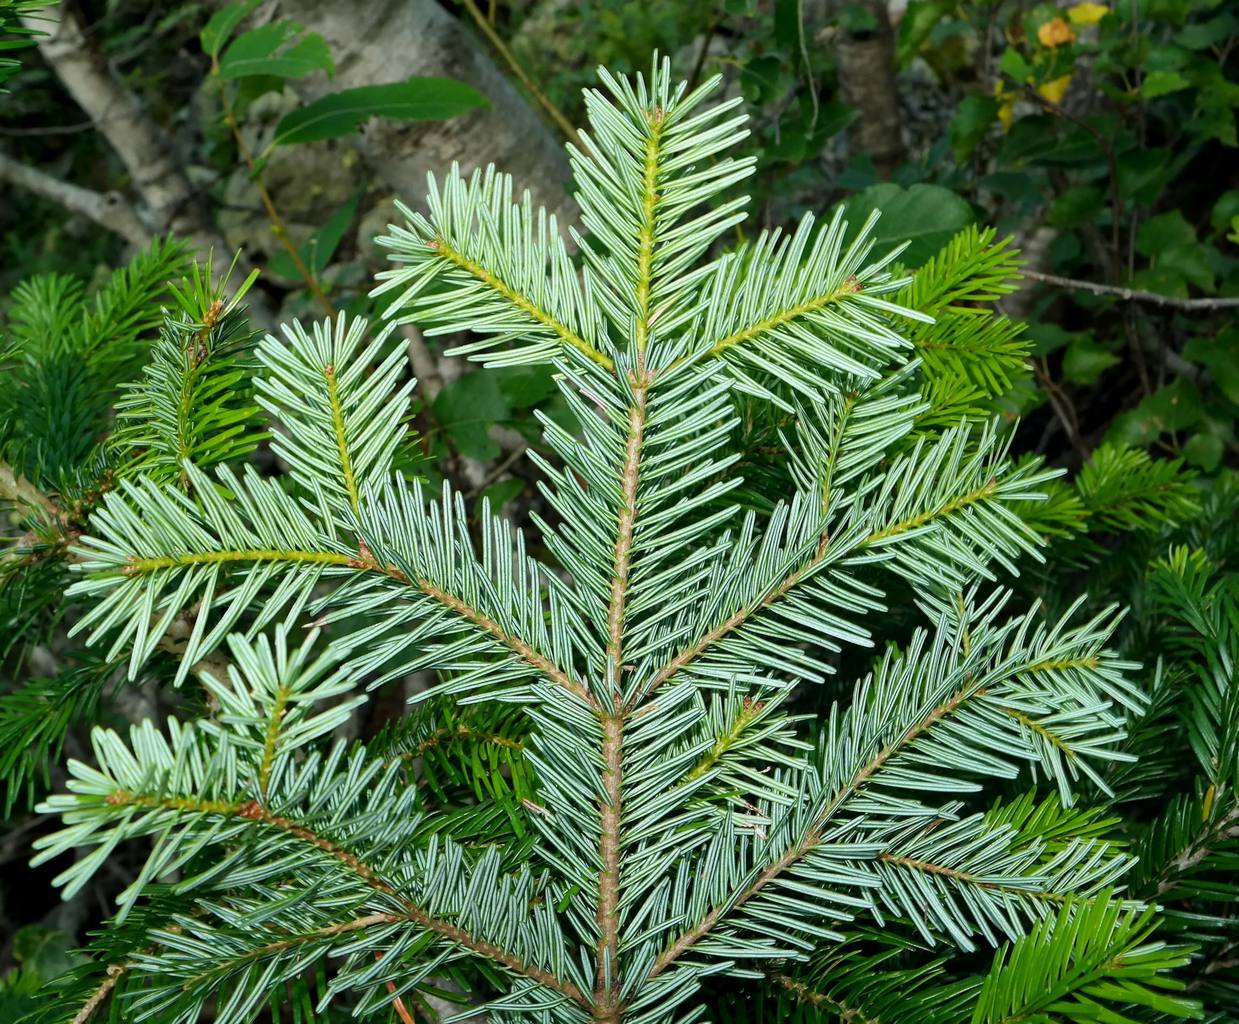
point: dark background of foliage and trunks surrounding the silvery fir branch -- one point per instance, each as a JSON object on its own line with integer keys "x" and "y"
{"x": 1098, "y": 138}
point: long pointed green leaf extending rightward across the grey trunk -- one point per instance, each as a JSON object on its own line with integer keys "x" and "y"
{"x": 344, "y": 112}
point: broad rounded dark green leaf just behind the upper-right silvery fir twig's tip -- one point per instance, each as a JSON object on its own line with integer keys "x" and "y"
{"x": 926, "y": 216}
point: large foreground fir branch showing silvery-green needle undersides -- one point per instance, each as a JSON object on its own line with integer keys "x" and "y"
{"x": 670, "y": 818}
